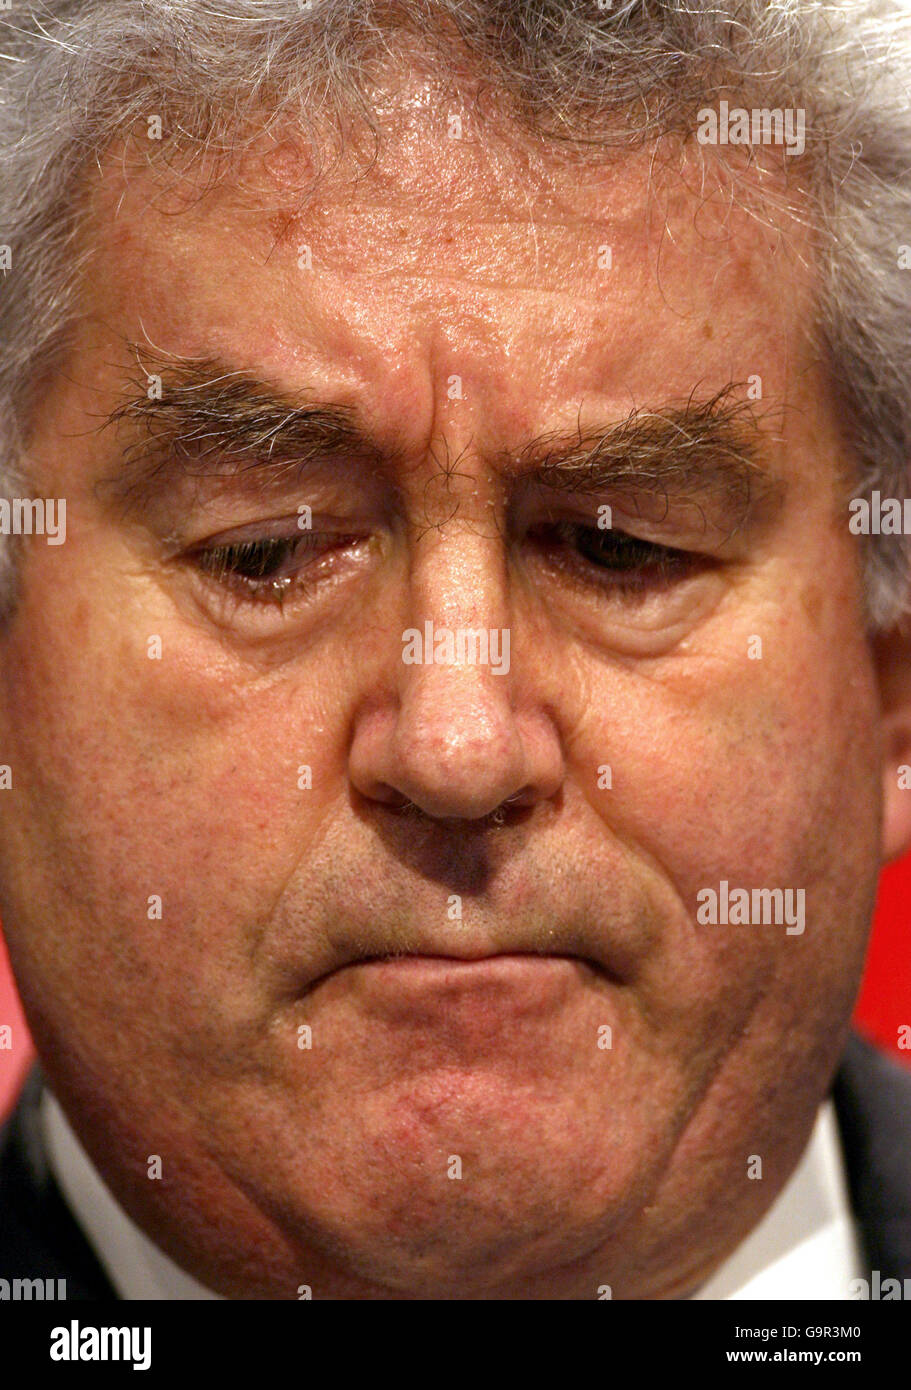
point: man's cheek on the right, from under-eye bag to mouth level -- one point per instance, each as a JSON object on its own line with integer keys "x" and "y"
{"x": 760, "y": 775}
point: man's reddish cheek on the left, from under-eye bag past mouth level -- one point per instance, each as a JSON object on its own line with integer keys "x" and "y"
{"x": 158, "y": 822}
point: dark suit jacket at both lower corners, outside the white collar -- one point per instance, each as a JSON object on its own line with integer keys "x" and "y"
{"x": 40, "y": 1238}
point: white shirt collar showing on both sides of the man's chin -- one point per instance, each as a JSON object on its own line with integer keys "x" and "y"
{"x": 805, "y": 1248}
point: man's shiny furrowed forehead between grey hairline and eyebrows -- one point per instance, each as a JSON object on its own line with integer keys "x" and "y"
{"x": 467, "y": 248}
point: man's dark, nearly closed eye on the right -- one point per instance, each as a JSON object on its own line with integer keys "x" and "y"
{"x": 625, "y": 562}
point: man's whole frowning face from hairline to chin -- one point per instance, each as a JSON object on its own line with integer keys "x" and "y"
{"x": 568, "y": 1081}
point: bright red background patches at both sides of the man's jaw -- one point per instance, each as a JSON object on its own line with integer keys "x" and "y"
{"x": 884, "y": 1006}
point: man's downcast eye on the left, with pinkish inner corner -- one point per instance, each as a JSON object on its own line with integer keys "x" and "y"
{"x": 265, "y": 569}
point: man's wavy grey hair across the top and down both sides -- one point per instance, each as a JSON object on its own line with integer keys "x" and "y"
{"x": 80, "y": 77}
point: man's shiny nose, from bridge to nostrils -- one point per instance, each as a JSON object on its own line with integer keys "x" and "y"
{"x": 465, "y": 728}
